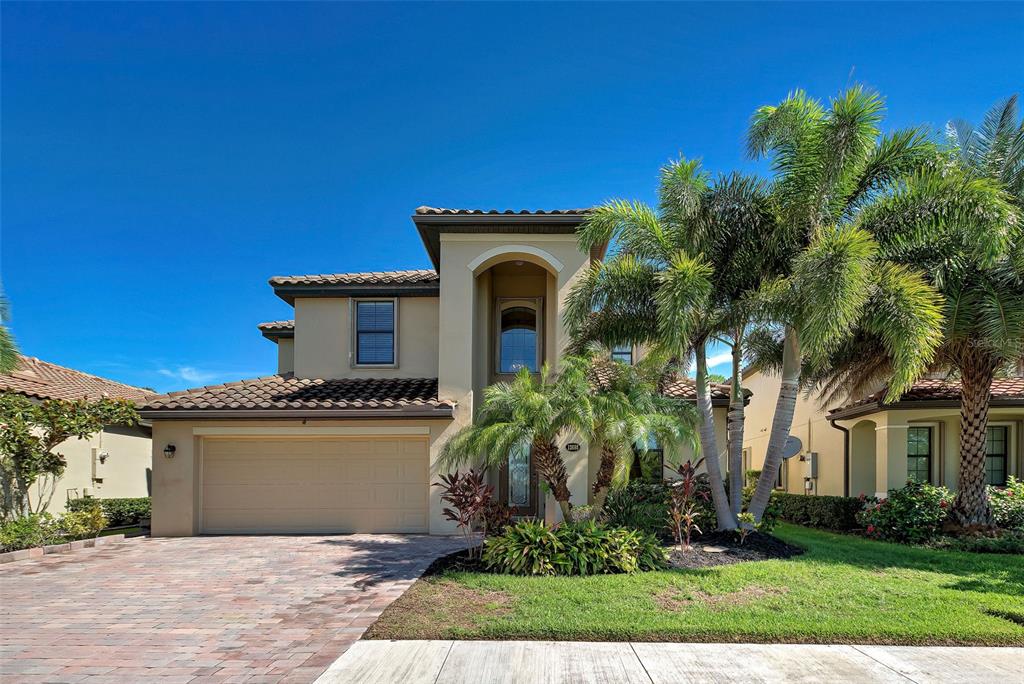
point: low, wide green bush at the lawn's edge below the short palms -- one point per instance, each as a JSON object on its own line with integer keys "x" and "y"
{"x": 531, "y": 547}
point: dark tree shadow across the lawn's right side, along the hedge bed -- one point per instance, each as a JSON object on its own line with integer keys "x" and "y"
{"x": 992, "y": 574}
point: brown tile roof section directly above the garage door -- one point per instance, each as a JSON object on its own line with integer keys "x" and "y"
{"x": 288, "y": 393}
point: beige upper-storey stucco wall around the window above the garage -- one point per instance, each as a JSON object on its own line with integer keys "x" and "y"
{"x": 324, "y": 338}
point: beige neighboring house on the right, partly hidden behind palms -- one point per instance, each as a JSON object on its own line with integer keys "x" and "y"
{"x": 870, "y": 447}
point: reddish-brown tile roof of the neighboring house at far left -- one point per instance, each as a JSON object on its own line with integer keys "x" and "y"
{"x": 42, "y": 380}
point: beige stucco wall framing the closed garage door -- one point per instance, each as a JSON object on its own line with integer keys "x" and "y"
{"x": 178, "y": 482}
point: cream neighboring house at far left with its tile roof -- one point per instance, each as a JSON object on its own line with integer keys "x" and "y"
{"x": 116, "y": 462}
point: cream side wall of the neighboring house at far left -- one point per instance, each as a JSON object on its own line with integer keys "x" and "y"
{"x": 125, "y": 473}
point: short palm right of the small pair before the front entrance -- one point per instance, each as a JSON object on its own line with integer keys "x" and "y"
{"x": 630, "y": 411}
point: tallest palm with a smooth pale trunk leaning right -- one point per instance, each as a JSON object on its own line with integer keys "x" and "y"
{"x": 833, "y": 165}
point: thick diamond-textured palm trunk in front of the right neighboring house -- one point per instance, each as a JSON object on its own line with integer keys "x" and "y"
{"x": 971, "y": 507}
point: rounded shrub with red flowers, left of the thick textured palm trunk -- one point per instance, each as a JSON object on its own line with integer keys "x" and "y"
{"x": 914, "y": 515}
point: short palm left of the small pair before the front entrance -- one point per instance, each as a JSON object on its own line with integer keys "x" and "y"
{"x": 530, "y": 411}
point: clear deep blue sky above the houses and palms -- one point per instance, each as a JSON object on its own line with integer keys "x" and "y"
{"x": 161, "y": 161}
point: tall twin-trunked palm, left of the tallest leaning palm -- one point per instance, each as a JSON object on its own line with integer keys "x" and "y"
{"x": 678, "y": 281}
